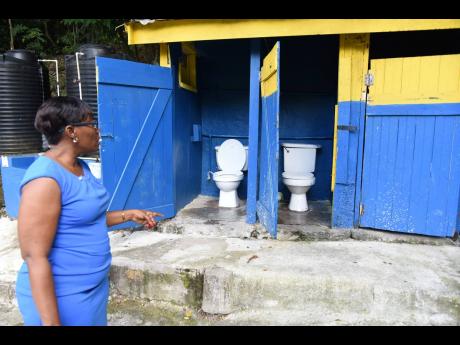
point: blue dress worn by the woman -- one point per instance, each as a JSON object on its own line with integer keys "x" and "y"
{"x": 80, "y": 256}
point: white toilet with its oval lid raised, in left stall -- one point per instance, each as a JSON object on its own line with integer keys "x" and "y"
{"x": 232, "y": 158}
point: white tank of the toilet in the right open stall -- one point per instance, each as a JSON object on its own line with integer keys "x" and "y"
{"x": 299, "y": 158}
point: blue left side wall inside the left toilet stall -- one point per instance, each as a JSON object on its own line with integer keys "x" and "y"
{"x": 187, "y": 154}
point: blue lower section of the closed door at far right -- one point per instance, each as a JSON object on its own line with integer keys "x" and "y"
{"x": 411, "y": 171}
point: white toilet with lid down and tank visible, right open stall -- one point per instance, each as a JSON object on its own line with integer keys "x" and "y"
{"x": 299, "y": 165}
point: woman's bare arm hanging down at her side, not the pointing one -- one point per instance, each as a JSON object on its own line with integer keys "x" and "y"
{"x": 39, "y": 211}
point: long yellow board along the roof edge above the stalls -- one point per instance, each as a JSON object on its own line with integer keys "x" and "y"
{"x": 182, "y": 30}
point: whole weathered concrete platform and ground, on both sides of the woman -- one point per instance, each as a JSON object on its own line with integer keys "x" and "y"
{"x": 159, "y": 277}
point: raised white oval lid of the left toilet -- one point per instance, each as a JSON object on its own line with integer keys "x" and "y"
{"x": 231, "y": 156}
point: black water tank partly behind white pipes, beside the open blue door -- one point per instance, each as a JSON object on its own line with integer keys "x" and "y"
{"x": 87, "y": 65}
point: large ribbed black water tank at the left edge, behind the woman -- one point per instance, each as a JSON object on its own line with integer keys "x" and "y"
{"x": 23, "y": 83}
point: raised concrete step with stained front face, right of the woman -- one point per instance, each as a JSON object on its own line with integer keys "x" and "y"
{"x": 375, "y": 282}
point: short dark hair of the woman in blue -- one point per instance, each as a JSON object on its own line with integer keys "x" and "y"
{"x": 56, "y": 113}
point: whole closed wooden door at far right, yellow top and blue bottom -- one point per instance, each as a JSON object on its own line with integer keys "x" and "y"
{"x": 411, "y": 169}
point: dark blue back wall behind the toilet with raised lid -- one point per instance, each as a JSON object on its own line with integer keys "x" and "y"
{"x": 223, "y": 84}
